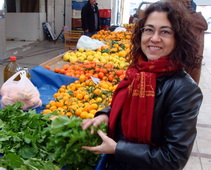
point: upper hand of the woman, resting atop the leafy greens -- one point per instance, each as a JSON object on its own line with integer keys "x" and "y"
{"x": 95, "y": 122}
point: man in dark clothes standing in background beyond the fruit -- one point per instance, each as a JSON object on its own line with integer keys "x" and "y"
{"x": 90, "y": 18}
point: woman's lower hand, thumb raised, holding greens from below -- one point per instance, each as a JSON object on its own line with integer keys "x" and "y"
{"x": 108, "y": 145}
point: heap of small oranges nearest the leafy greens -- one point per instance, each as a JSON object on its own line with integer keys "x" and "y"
{"x": 81, "y": 98}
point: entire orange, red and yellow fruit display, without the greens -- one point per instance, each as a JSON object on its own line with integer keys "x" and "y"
{"x": 85, "y": 97}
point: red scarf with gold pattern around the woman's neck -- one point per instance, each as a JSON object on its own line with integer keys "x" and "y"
{"x": 134, "y": 99}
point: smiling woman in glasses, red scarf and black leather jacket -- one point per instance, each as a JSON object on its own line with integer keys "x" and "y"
{"x": 153, "y": 115}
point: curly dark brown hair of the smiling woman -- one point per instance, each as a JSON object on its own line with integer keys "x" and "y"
{"x": 186, "y": 41}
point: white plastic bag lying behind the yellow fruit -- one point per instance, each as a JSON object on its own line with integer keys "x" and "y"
{"x": 89, "y": 43}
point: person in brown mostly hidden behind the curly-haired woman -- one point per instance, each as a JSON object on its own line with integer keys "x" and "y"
{"x": 200, "y": 27}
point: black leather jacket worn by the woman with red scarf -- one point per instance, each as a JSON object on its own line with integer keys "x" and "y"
{"x": 177, "y": 104}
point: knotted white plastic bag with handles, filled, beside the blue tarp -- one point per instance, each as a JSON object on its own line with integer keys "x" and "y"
{"x": 22, "y": 90}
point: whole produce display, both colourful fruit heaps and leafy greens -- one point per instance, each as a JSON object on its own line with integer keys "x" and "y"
{"x": 53, "y": 139}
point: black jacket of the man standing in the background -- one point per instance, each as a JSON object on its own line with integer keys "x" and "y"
{"x": 88, "y": 19}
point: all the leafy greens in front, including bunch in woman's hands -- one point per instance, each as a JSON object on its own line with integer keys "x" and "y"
{"x": 34, "y": 141}
